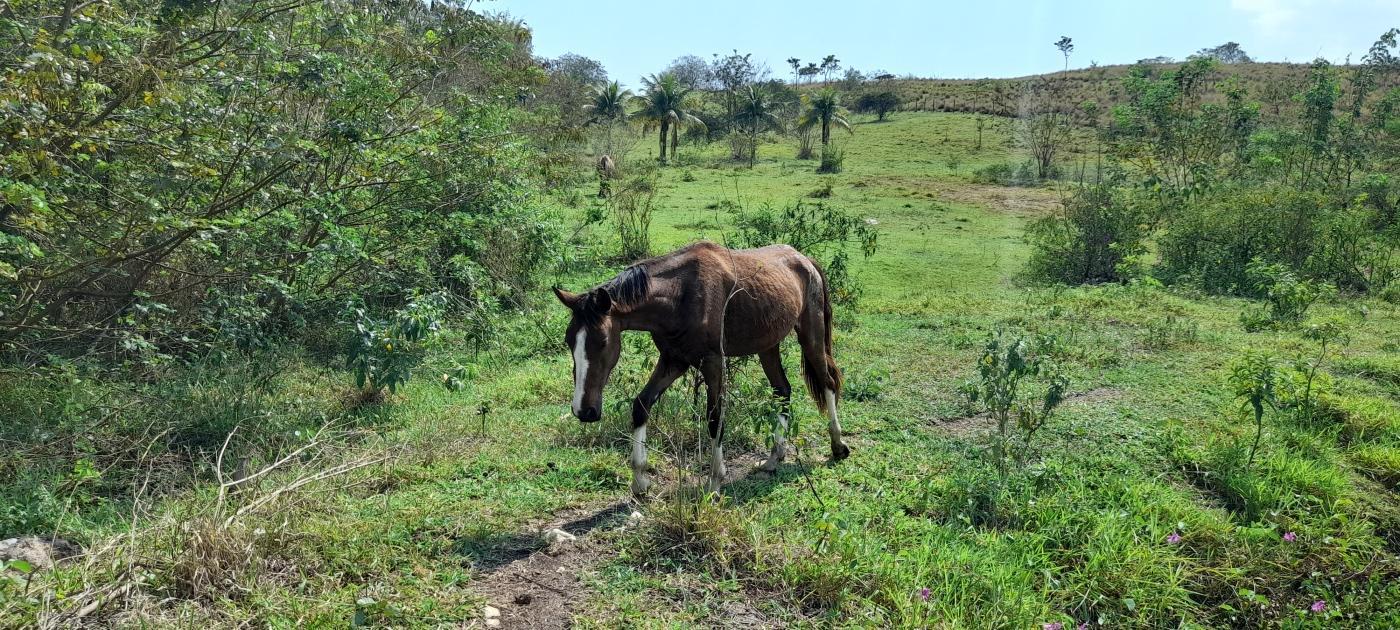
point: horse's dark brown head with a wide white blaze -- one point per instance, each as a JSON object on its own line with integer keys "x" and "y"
{"x": 596, "y": 342}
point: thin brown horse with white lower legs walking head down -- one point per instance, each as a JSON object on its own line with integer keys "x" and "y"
{"x": 702, "y": 304}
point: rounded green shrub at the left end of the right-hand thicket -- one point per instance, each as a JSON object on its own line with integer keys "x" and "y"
{"x": 1088, "y": 239}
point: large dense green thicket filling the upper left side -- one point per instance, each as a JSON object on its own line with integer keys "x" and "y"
{"x": 167, "y": 180}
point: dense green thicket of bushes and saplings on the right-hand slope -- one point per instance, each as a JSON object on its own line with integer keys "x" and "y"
{"x": 1311, "y": 192}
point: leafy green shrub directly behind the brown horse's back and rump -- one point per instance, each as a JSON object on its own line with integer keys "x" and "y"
{"x": 818, "y": 230}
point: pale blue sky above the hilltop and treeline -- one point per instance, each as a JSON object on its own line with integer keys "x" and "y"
{"x": 981, "y": 38}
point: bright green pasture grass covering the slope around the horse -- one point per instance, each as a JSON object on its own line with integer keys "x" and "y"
{"x": 1149, "y": 446}
